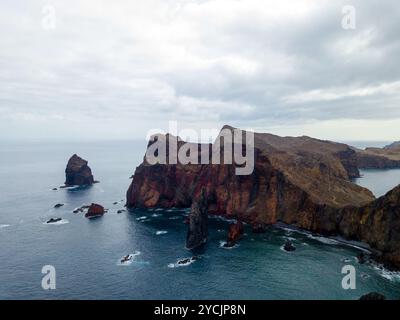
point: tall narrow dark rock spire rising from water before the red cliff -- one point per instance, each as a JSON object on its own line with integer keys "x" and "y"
{"x": 198, "y": 217}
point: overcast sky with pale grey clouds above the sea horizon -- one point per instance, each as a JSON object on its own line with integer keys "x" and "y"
{"x": 94, "y": 69}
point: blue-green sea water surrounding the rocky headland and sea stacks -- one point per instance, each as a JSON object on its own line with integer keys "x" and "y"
{"x": 86, "y": 253}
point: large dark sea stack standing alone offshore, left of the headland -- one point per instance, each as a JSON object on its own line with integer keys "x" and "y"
{"x": 77, "y": 172}
